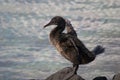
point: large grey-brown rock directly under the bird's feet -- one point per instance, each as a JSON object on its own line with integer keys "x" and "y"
{"x": 62, "y": 73}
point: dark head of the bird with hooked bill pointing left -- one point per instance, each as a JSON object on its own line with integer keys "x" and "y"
{"x": 57, "y": 20}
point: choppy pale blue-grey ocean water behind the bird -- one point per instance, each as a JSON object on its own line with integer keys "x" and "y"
{"x": 25, "y": 50}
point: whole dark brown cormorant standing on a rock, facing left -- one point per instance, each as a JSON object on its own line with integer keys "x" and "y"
{"x": 68, "y": 44}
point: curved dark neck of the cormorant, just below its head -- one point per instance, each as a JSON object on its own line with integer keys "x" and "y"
{"x": 57, "y": 30}
